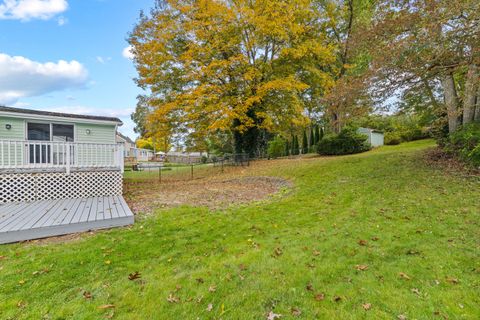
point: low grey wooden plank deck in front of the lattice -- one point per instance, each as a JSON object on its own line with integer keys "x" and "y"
{"x": 46, "y": 218}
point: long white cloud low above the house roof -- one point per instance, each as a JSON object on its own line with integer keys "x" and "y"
{"x": 21, "y": 77}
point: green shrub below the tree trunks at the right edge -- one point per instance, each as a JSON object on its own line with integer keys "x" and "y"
{"x": 465, "y": 143}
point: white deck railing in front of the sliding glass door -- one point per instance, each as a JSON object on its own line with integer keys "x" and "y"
{"x": 59, "y": 155}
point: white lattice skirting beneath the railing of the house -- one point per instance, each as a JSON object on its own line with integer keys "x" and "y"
{"x": 20, "y": 187}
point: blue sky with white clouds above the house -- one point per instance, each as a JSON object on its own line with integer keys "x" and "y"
{"x": 69, "y": 56}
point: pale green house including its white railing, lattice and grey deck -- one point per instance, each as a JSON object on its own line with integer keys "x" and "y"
{"x": 59, "y": 173}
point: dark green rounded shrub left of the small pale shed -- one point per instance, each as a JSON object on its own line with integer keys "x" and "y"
{"x": 346, "y": 142}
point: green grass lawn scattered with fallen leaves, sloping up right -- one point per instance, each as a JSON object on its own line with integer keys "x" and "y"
{"x": 380, "y": 231}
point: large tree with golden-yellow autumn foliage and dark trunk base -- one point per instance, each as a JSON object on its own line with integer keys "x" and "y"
{"x": 239, "y": 66}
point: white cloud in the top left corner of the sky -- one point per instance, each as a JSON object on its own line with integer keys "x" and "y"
{"x": 31, "y": 9}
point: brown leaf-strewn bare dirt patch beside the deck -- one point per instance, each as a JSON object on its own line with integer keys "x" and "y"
{"x": 145, "y": 196}
